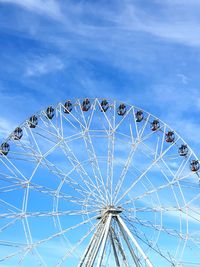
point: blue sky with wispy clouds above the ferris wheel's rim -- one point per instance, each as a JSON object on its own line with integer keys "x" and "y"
{"x": 144, "y": 52}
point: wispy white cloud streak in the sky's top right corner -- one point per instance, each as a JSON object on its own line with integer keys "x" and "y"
{"x": 177, "y": 21}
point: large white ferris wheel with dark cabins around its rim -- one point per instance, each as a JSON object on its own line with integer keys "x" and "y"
{"x": 96, "y": 182}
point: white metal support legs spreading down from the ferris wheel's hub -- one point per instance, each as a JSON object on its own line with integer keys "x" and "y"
{"x": 113, "y": 230}
